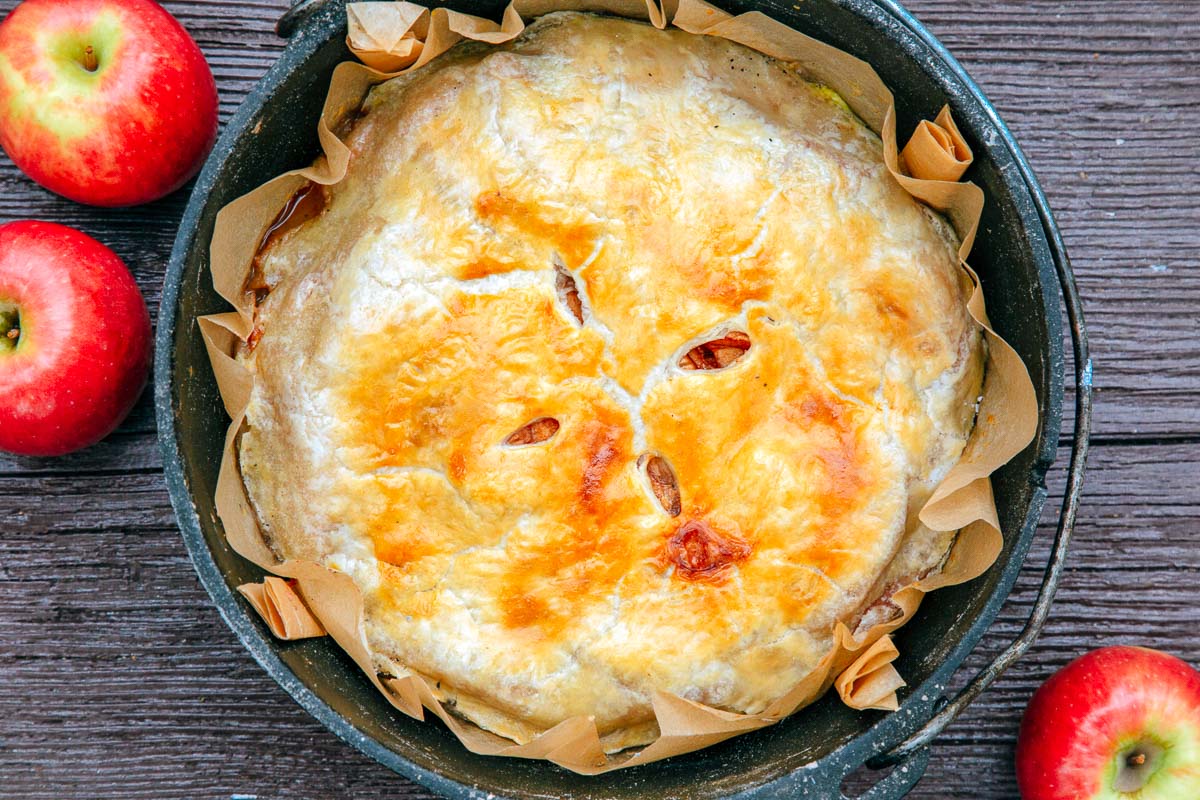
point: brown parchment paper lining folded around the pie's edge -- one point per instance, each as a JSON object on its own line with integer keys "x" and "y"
{"x": 398, "y": 38}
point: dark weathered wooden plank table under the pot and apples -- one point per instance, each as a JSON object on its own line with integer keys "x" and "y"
{"x": 119, "y": 681}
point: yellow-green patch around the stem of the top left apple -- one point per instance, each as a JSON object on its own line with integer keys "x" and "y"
{"x": 79, "y": 62}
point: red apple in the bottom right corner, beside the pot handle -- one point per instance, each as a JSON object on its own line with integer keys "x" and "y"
{"x": 1118, "y": 724}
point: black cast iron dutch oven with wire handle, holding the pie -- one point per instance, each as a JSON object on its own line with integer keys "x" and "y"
{"x": 1025, "y": 274}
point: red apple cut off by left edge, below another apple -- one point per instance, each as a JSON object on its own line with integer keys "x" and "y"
{"x": 75, "y": 340}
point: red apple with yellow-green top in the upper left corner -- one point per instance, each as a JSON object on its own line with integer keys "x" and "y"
{"x": 107, "y": 103}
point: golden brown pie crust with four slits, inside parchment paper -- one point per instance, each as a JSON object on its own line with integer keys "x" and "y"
{"x": 617, "y": 364}
